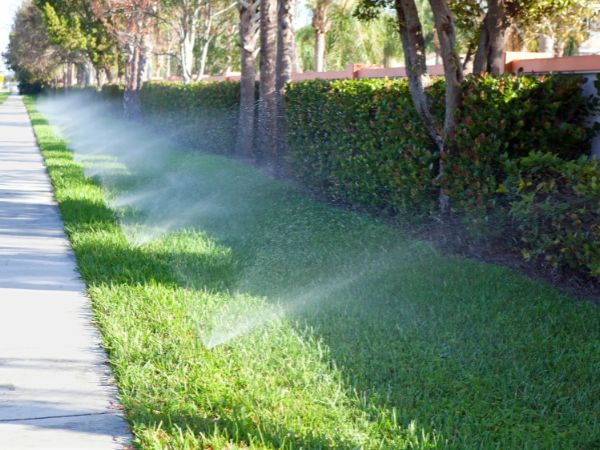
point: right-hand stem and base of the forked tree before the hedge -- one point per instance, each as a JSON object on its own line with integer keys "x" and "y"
{"x": 453, "y": 76}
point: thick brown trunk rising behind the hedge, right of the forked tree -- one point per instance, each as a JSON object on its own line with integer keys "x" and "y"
{"x": 490, "y": 50}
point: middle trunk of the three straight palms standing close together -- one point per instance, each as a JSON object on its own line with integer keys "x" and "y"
{"x": 267, "y": 108}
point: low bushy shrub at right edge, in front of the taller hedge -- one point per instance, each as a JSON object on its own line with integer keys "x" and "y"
{"x": 556, "y": 210}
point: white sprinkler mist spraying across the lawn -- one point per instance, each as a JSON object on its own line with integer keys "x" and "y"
{"x": 157, "y": 189}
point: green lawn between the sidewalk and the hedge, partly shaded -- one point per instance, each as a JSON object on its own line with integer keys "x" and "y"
{"x": 335, "y": 330}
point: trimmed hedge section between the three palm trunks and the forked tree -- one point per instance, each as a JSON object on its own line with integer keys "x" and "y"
{"x": 361, "y": 142}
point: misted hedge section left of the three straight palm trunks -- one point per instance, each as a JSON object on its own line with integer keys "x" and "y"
{"x": 202, "y": 115}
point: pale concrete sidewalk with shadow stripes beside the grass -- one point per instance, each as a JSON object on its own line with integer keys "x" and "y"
{"x": 55, "y": 390}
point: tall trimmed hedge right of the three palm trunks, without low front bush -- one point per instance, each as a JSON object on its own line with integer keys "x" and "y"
{"x": 361, "y": 141}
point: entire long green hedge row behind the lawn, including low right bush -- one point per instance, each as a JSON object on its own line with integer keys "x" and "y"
{"x": 517, "y": 166}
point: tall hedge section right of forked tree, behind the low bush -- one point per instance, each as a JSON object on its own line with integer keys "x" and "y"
{"x": 505, "y": 118}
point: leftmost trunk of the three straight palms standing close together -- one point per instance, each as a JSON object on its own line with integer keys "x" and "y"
{"x": 245, "y": 132}
